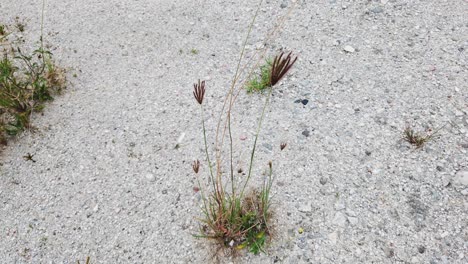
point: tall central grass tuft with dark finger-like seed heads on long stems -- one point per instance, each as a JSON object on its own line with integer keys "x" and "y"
{"x": 235, "y": 214}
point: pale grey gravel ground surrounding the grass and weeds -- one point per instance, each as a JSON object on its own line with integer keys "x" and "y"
{"x": 109, "y": 184}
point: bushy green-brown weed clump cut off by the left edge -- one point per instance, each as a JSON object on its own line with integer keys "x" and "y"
{"x": 27, "y": 81}
